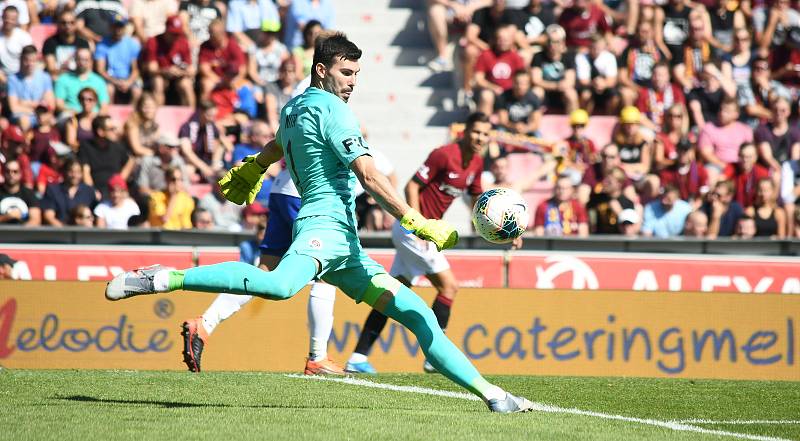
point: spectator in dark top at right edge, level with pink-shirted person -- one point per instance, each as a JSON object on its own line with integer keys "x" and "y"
{"x": 776, "y": 140}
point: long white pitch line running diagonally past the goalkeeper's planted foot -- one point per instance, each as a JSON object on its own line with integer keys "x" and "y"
{"x": 541, "y": 407}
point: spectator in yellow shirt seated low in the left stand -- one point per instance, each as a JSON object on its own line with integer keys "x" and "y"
{"x": 172, "y": 208}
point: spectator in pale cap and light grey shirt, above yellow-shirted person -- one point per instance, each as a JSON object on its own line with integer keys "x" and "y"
{"x": 152, "y": 168}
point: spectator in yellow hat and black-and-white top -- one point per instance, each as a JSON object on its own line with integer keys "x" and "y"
{"x": 635, "y": 151}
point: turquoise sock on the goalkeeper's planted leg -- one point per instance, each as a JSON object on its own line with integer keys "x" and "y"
{"x": 412, "y": 312}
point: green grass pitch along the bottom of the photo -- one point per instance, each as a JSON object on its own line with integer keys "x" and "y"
{"x": 224, "y": 406}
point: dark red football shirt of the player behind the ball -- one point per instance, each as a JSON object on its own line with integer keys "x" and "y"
{"x": 443, "y": 178}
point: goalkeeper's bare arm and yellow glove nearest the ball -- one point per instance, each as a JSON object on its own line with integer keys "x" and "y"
{"x": 437, "y": 231}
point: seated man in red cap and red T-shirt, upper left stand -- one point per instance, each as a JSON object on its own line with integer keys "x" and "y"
{"x": 169, "y": 67}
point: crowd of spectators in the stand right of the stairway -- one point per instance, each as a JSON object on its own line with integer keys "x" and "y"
{"x": 707, "y": 142}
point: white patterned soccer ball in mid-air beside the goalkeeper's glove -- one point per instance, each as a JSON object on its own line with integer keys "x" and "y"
{"x": 500, "y": 215}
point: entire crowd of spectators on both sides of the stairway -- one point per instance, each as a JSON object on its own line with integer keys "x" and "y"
{"x": 707, "y": 142}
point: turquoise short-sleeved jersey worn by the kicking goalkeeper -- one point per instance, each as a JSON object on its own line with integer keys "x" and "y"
{"x": 320, "y": 137}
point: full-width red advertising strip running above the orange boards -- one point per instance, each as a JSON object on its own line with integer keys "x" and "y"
{"x": 591, "y": 271}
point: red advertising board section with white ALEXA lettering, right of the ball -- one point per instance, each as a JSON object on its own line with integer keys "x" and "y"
{"x": 650, "y": 272}
